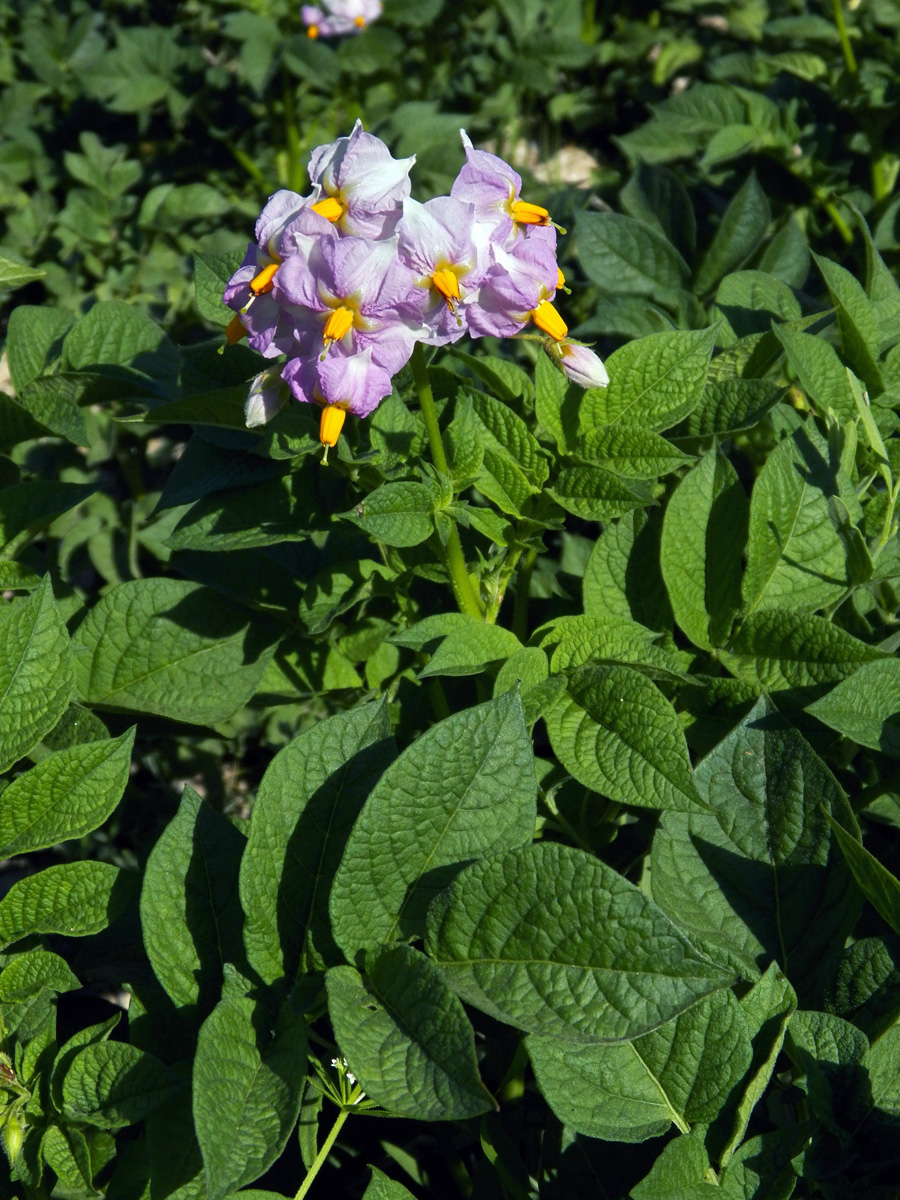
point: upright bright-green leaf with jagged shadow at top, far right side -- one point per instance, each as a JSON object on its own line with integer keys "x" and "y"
{"x": 796, "y": 557}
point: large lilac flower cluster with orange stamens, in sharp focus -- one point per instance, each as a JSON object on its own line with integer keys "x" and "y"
{"x": 344, "y": 283}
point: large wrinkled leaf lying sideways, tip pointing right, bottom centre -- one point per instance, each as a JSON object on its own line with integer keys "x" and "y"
{"x": 553, "y": 941}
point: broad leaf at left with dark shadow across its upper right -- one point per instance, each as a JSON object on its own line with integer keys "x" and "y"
{"x": 170, "y": 647}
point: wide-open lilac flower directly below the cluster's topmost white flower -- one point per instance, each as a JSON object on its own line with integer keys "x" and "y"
{"x": 356, "y": 293}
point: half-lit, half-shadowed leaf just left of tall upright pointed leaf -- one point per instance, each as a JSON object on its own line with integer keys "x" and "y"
{"x": 623, "y": 578}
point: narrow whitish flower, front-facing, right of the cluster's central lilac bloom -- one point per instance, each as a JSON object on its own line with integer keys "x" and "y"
{"x": 436, "y": 243}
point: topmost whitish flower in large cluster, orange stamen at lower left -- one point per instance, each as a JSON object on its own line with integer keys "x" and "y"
{"x": 359, "y": 185}
